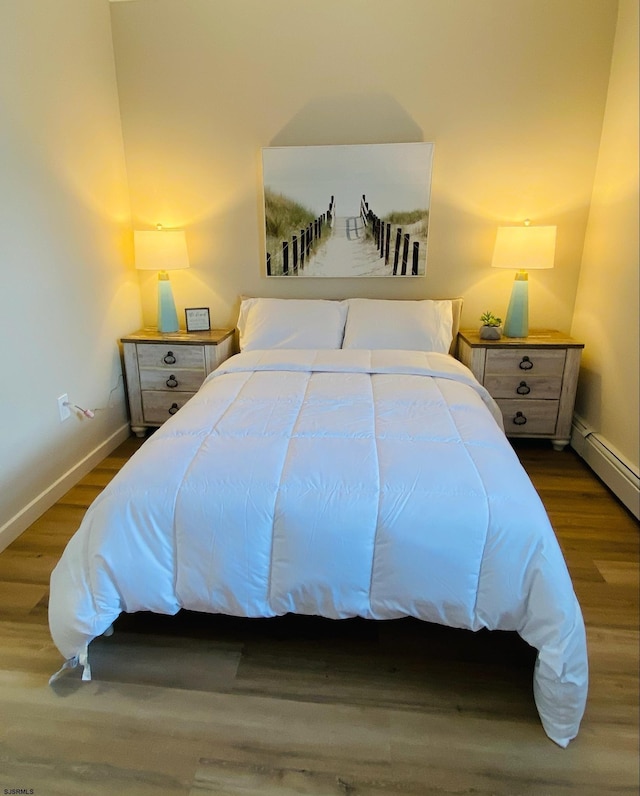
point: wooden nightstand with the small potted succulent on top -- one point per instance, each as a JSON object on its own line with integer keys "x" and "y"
{"x": 533, "y": 380}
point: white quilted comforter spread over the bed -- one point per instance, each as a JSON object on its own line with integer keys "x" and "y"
{"x": 338, "y": 483}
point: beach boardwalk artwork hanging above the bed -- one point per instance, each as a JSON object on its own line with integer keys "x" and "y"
{"x": 345, "y": 211}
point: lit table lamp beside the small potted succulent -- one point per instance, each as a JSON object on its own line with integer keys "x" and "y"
{"x": 525, "y": 248}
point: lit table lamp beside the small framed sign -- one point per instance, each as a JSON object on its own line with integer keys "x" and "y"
{"x": 162, "y": 250}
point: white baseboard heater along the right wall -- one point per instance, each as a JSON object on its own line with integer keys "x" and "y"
{"x": 610, "y": 465}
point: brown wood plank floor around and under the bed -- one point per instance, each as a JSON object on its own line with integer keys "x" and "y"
{"x": 207, "y": 705}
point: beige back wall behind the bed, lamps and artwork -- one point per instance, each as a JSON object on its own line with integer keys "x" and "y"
{"x": 512, "y": 94}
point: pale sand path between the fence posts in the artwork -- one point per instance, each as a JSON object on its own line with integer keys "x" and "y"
{"x": 347, "y": 252}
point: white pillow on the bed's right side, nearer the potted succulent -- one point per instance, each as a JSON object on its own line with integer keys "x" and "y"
{"x": 407, "y": 325}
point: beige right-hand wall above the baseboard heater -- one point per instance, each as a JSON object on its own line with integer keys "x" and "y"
{"x": 606, "y": 315}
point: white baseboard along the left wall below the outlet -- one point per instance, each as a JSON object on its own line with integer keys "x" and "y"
{"x": 10, "y": 531}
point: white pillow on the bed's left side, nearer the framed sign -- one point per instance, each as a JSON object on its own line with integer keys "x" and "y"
{"x": 291, "y": 323}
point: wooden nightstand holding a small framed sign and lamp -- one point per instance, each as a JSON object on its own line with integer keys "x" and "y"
{"x": 164, "y": 370}
